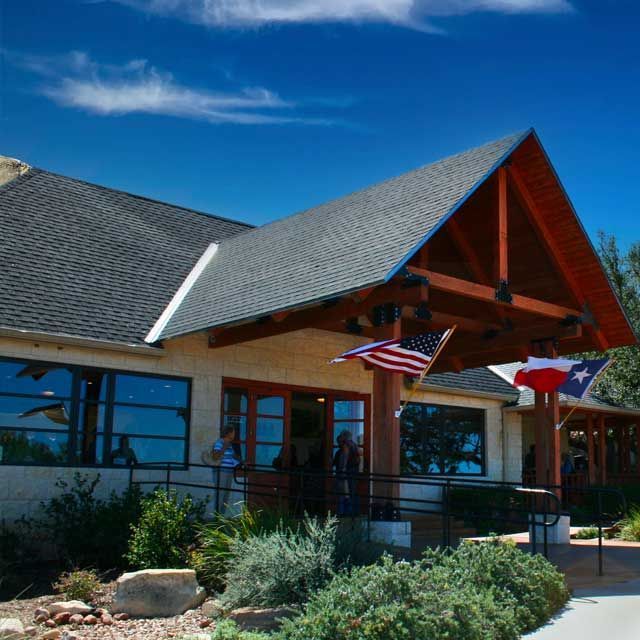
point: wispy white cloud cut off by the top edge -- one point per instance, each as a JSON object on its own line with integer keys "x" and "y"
{"x": 409, "y": 13}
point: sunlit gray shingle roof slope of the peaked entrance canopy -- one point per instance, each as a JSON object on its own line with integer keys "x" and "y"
{"x": 344, "y": 245}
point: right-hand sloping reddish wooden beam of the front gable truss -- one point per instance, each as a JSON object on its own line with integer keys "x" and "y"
{"x": 546, "y": 238}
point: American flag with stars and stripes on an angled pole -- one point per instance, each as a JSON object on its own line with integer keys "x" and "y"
{"x": 409, "y": 356}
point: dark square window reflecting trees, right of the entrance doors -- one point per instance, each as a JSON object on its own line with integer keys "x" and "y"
{"x": 437, "y": 439}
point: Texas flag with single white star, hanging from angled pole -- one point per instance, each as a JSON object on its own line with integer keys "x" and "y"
{"x": 573, "y": 377}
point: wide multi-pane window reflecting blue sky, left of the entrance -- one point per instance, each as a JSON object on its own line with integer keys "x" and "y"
{"x": 64, "y": 414}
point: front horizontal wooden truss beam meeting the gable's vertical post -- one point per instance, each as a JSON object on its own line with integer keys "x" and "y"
{"x": 487, "y": 294}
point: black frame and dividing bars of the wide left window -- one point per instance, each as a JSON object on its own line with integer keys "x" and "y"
{"x": 109, "y": 403}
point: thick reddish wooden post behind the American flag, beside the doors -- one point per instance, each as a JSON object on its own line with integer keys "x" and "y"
{"x": 386, "y": 427}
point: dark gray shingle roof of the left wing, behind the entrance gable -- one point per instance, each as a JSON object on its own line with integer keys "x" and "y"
{"x": 83, "y": 260}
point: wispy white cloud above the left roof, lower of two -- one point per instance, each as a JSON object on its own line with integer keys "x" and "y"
{"x": 74, "y": 80}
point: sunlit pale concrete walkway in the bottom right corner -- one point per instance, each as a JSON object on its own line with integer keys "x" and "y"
{"x": 595, "y": 613}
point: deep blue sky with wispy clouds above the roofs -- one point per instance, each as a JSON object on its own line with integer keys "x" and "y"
{"x": 255, "y": 109}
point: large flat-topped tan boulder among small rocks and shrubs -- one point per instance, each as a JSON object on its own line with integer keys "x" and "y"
{"x": 155, "y": 593}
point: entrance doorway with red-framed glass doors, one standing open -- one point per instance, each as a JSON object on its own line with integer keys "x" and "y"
{"x": 294, "y": 429}
